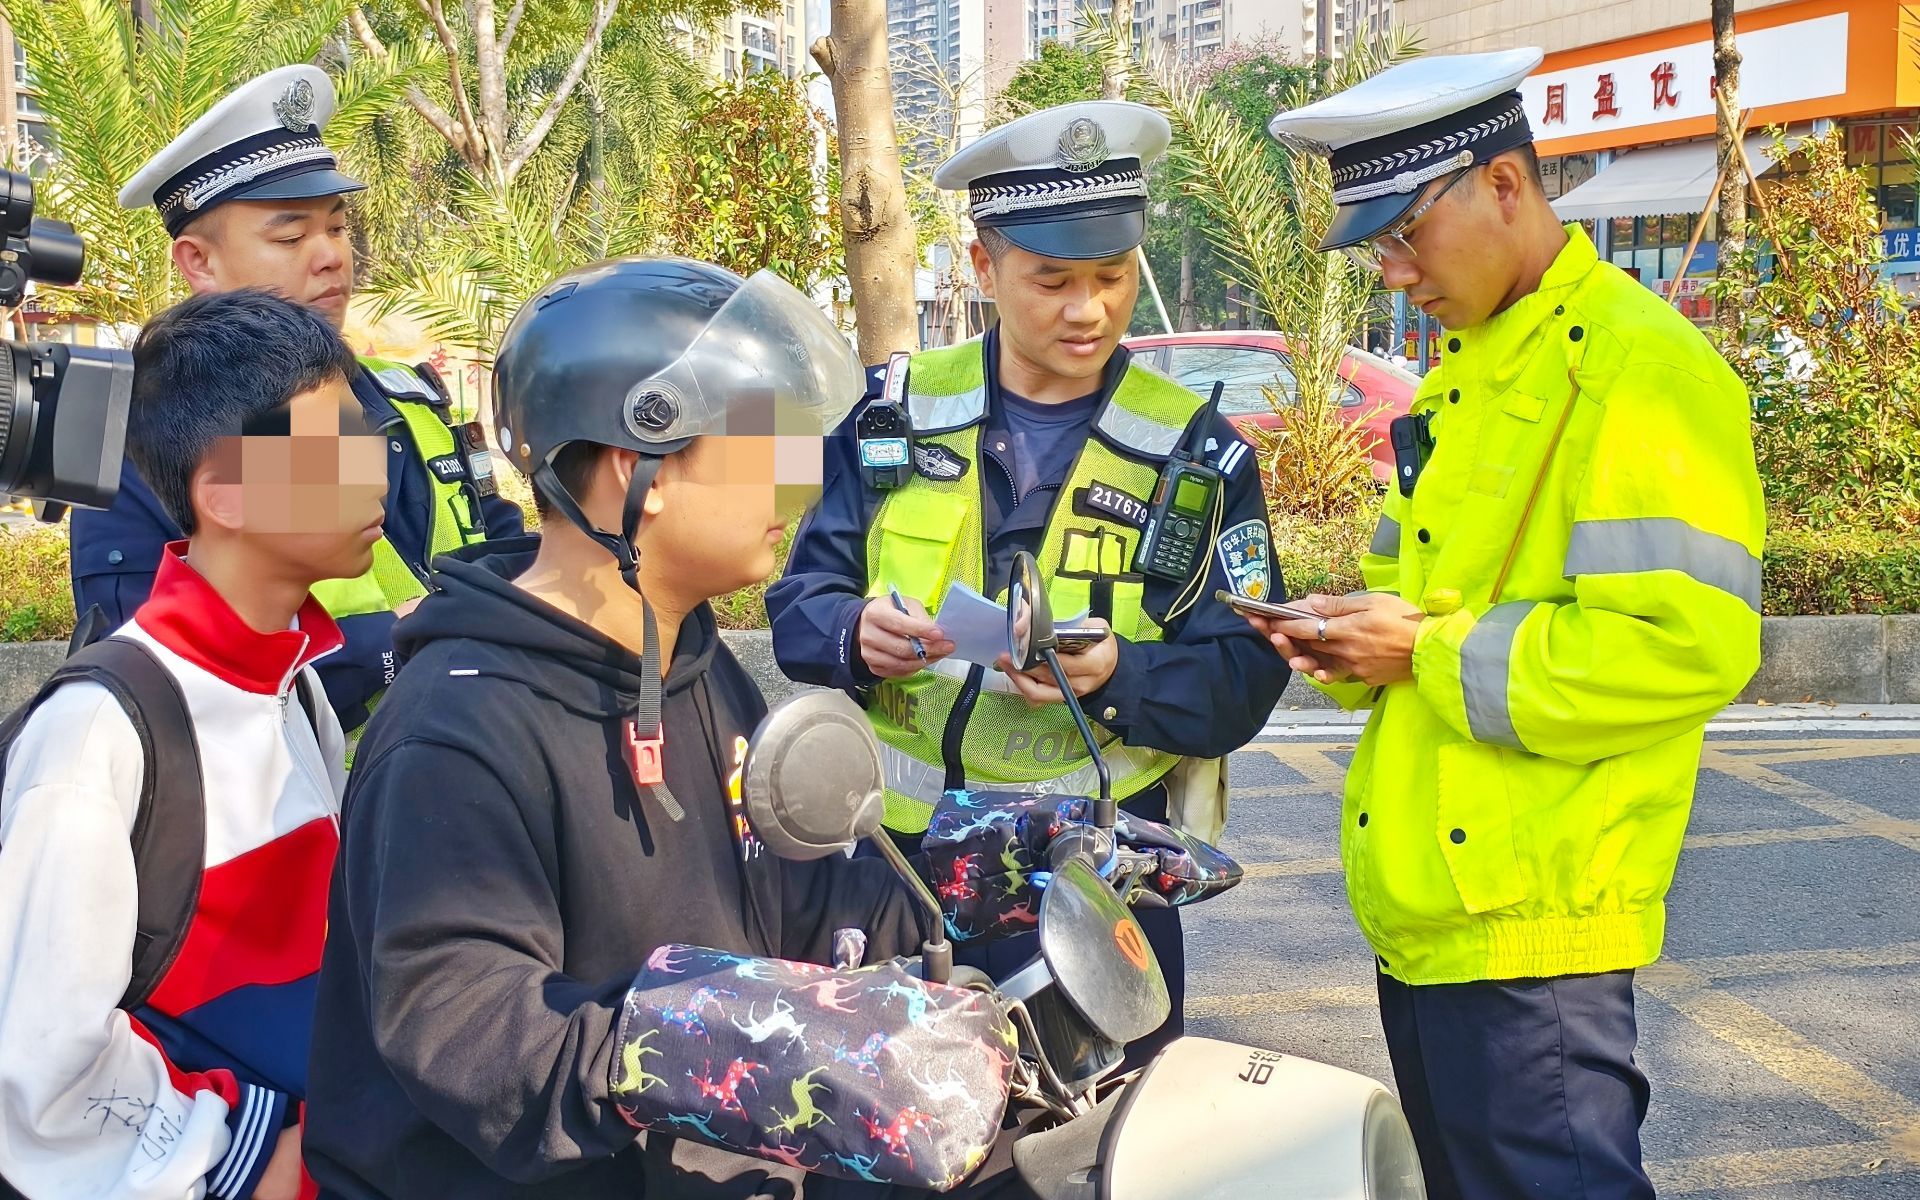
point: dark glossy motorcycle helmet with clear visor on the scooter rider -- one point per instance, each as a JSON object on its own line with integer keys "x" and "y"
{"x": 650, "y": 354}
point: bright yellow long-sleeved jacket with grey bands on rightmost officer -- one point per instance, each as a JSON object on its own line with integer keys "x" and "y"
{"x": 1518, "y": 807}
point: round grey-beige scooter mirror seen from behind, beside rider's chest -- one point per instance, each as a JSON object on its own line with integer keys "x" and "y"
{"x": 813, "y": 779}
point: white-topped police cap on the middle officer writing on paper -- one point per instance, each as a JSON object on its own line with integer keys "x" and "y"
{"x": 1068, "y": 181}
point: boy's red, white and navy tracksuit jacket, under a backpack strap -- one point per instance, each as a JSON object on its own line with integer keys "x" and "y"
{"x": 189, "y": 1095}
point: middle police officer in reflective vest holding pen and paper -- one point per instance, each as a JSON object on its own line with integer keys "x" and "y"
{"x": 1040, "y": 437}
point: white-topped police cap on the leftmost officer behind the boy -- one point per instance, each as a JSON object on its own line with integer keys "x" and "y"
{"x": 260, "y": 143}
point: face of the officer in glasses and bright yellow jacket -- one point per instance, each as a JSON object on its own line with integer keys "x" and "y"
{"x": 1464, "y": 262}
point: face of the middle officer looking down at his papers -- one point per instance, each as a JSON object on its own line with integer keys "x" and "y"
{"x": 1061, "y": 318}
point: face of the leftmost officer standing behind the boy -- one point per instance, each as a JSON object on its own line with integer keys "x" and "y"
{"x": 297, "y": 249}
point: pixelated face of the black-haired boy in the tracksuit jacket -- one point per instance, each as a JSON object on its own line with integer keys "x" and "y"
{"x": 304, "y": 483}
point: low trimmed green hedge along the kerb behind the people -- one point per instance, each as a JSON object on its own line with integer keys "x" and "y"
{"x": 1808, "y": 571}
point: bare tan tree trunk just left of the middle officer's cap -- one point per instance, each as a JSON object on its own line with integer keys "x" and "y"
{"x": 882, "y": 251}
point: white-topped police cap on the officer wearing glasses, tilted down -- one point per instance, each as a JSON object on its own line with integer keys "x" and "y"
{"x": 1408, "y": 126}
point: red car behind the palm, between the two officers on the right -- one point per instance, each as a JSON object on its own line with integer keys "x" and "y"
{"x": 1249, "y": 360}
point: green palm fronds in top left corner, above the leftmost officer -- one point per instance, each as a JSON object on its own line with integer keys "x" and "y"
{"x": 116, "y": 93}
